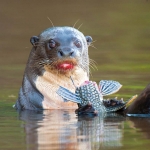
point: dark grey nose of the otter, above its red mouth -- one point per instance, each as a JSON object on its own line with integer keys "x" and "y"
{"x": 66, "y": 52}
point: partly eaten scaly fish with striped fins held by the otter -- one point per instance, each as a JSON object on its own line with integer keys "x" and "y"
{"x": 91, "y": 93}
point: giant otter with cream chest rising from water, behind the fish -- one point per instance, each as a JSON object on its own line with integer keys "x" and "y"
{"x": 57, "y": 54}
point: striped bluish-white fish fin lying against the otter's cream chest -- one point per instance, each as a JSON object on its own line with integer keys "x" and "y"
{"x": 68, "y": 95}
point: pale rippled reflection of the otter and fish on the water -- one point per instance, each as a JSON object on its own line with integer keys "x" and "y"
{"x": 57, "y": 129}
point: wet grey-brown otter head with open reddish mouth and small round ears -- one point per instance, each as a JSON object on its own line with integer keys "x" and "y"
{"x": 61, "y": 49}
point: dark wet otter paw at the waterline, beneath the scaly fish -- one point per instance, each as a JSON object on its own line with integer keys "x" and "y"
{"x": 86, "y": 110}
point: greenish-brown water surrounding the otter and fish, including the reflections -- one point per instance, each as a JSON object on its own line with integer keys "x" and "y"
{"x": 121, "y": 31}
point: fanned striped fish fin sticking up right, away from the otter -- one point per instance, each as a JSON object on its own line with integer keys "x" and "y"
{"x": 108, "y": 87}
